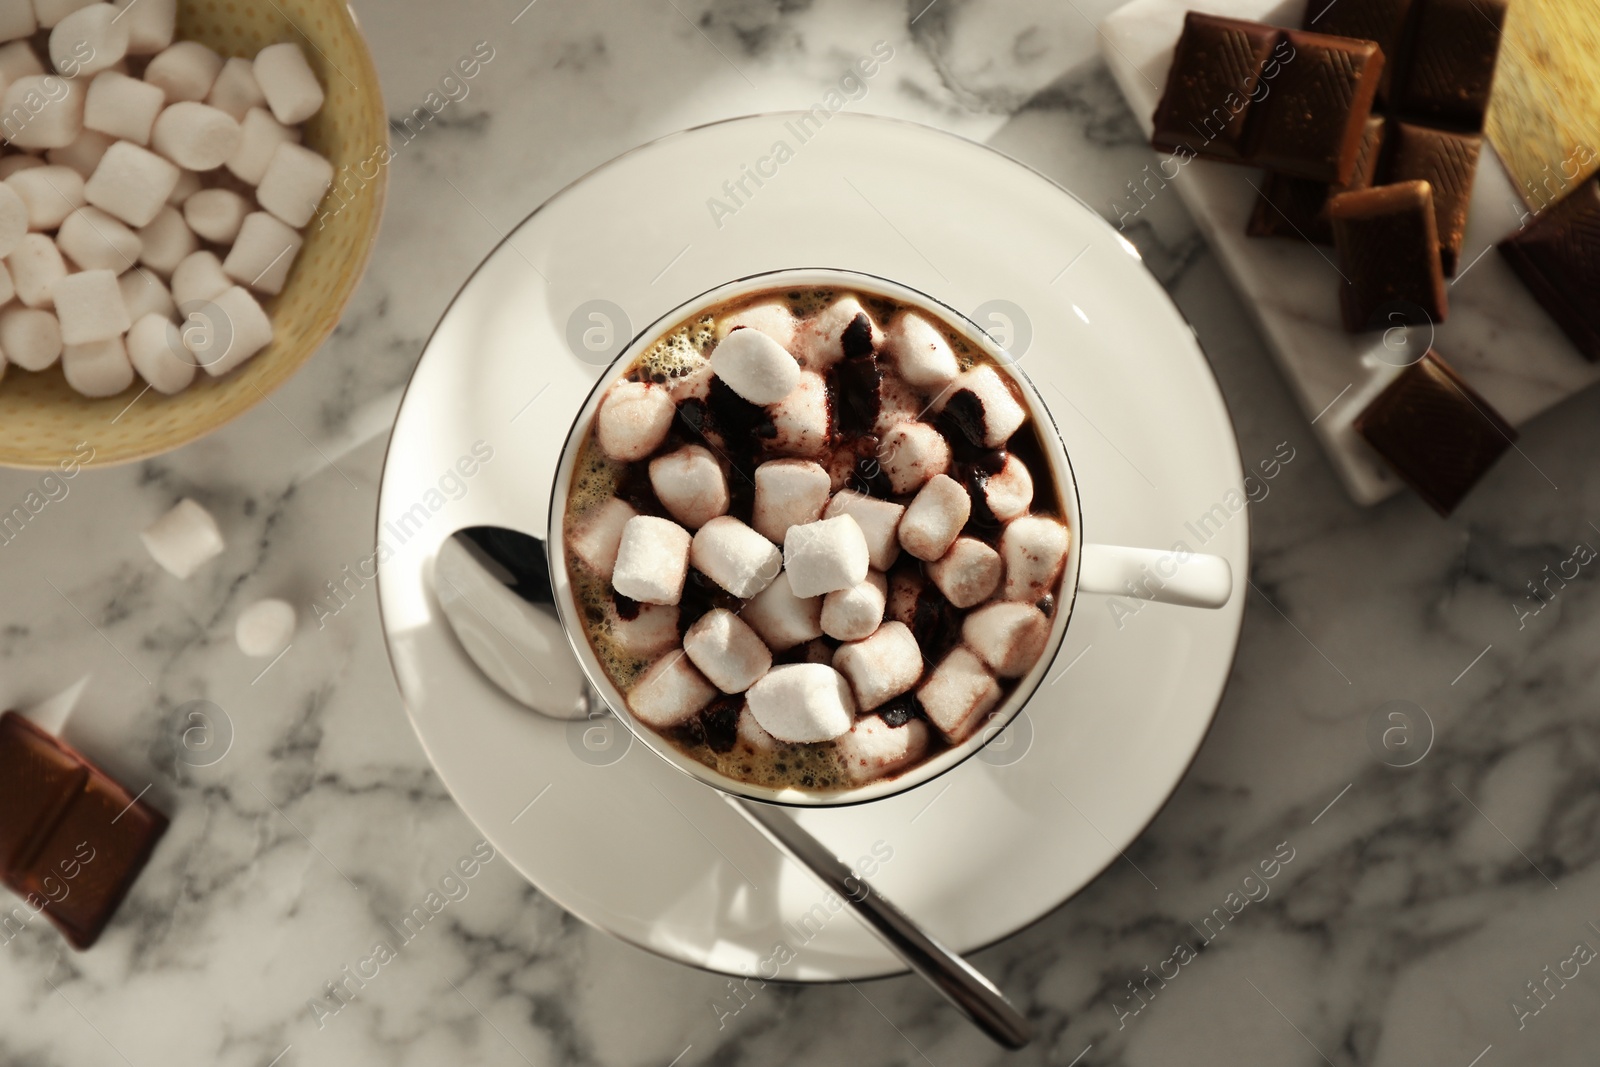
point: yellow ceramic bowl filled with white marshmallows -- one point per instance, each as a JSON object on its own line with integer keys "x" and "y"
{"x": 183, "y": 215}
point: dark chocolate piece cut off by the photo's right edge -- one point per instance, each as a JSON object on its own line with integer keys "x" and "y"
{"x": 1558, "y": 257}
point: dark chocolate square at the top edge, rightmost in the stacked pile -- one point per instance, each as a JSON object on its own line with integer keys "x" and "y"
{"x": 1452, "y": 60}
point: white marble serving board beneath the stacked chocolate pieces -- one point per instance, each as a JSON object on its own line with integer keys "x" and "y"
{"x": 1497, "y": 335}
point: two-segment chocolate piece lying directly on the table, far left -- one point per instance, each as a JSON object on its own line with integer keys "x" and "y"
{"x": 71, "y": 839}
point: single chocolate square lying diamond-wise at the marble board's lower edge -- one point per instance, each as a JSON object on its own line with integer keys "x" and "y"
{"x": 1438, "y": 434}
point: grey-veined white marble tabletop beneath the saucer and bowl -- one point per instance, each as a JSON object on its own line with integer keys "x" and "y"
{"x": 1418, "y": 903}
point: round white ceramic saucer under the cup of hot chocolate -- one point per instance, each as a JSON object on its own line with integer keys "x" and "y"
{"x": 615, "y": 834}
